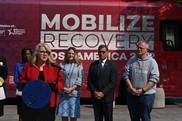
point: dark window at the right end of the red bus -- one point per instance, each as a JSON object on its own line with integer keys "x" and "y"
{"x": 170, "y": 34}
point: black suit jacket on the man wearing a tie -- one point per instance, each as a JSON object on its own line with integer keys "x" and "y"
{"x": 104, "y": 82}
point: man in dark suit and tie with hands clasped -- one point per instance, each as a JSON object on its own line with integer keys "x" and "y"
{"x": 102, "y": 78}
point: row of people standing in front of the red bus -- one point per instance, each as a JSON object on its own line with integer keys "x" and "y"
{"x": 141, "y": 76}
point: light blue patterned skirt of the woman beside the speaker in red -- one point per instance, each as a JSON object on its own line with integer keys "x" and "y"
{"x": 69, "y": 107}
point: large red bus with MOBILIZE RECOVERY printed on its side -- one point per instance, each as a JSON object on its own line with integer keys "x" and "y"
{"x": 85, "y": 24}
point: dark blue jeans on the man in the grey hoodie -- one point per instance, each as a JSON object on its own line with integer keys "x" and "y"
{"x": 140, "y": 107}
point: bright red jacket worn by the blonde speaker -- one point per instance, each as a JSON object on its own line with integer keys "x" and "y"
{"x": 51, "y": 74}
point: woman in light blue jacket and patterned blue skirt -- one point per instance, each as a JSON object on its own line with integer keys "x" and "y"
{"x": 69, "y": 106}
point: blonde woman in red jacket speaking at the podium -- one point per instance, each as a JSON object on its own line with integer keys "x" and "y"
{"x": 40, "y": 68}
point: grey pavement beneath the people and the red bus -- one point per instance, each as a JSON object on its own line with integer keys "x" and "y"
{"x": 171, "y": 112}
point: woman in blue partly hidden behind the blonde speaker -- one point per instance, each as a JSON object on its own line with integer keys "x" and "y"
{"x": 26, "y": 55}
